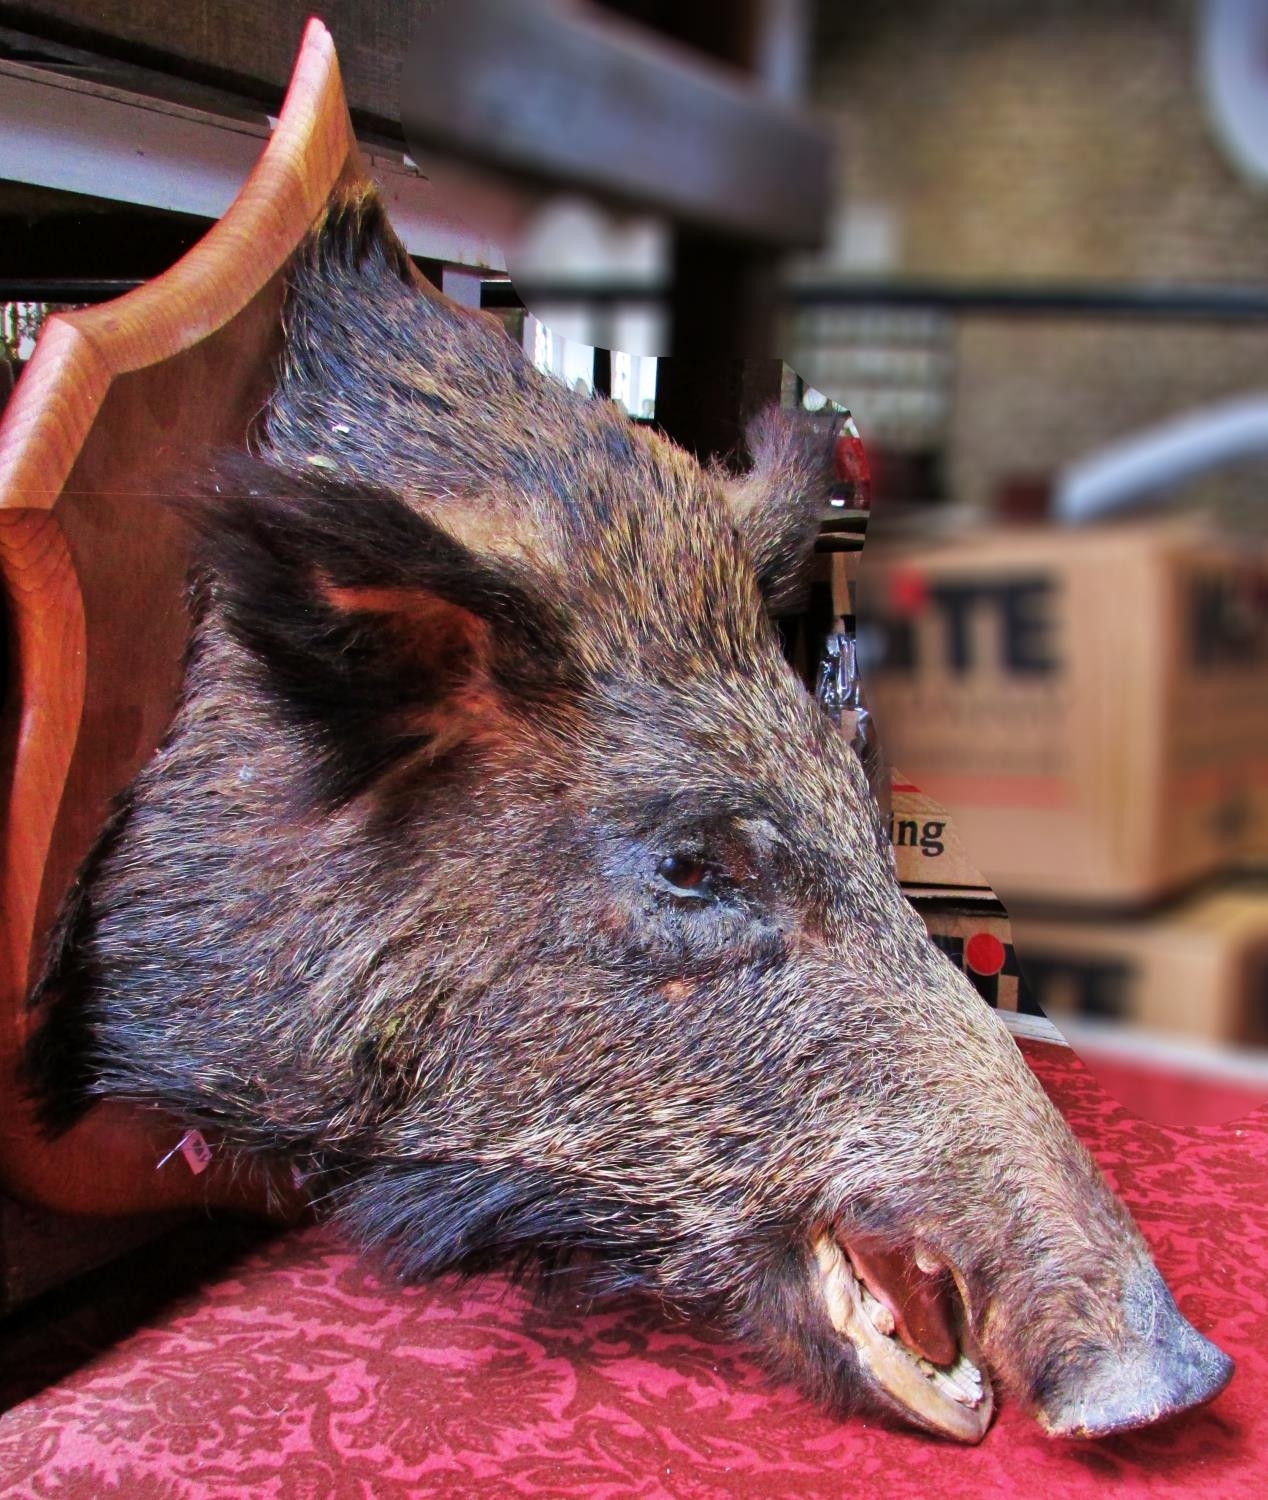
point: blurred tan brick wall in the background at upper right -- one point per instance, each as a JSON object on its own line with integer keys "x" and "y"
{"x": 1012, "y": 140}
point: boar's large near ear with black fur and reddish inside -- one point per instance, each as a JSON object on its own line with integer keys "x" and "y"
{"x": 379, "y": 634}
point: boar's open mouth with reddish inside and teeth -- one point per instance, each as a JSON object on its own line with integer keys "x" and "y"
{"x": 910, "y": 1330}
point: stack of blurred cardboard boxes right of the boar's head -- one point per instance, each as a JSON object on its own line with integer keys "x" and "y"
{"x": 1095, "y": 706}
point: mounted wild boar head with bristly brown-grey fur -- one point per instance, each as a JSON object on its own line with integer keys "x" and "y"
{"x": 500, "y": 874}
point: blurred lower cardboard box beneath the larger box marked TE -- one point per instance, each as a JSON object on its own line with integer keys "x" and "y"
{"x": 1195, "y": 973}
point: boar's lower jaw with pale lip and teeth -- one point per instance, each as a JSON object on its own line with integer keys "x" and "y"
{"x": 955, "y": 1400}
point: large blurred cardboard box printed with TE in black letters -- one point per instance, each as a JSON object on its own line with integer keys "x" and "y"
{"x": 1092, "y": 706}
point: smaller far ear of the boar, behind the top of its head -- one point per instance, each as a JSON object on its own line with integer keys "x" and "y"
{"x": 780, "y": 503}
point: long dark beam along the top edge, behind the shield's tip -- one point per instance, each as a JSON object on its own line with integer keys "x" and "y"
{"x": 566, "y": 95}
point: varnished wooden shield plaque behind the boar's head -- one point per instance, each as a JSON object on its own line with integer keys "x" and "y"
{"x": 92, "y": 569}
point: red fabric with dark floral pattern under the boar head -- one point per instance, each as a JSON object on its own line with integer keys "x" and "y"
{"x": 298, "y": 1373}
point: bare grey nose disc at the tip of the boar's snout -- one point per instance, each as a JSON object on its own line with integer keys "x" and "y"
{"x": 1167, "y": 1369}
